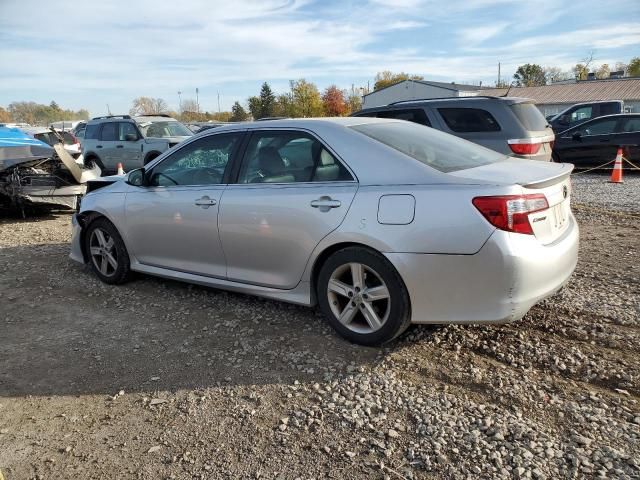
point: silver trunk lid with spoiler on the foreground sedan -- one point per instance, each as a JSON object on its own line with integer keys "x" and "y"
{"x": 516, "y": 172}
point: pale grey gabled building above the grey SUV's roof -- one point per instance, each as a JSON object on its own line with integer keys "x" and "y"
{"x": 418, "y": 89}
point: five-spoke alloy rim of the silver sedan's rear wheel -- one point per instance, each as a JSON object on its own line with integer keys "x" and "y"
{"x": 359, "y": 298}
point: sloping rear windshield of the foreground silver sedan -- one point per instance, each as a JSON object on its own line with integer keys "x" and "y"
{"x": 434, "y": 148}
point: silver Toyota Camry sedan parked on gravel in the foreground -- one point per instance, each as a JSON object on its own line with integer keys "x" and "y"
{"x": 382, "y": 222}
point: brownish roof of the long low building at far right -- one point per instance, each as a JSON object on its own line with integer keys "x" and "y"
{"x": 554, "y": 98}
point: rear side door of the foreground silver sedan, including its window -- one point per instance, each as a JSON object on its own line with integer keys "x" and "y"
{"x": 290, "y": 193}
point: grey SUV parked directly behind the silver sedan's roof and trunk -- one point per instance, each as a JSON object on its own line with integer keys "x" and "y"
{"x": 509, "y": 125}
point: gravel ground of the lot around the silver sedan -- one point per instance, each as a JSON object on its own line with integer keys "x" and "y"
{"x": 158, "y": 379}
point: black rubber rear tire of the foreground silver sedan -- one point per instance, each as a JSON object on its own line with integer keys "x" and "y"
{"x": 397, "y": 310}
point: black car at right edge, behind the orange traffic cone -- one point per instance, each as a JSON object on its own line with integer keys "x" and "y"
{"x": 596, "y": 142}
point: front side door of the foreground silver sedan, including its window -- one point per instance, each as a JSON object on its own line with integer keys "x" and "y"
{"x": 172, "y": 221}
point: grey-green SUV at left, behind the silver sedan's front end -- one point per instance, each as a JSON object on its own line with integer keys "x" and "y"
{"x": 132, "y": 141}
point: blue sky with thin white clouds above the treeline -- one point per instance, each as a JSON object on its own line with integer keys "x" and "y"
{"x": 93, "y": 53}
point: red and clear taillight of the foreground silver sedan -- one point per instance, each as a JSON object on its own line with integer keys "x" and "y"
{"x": 511, "y": 212}
